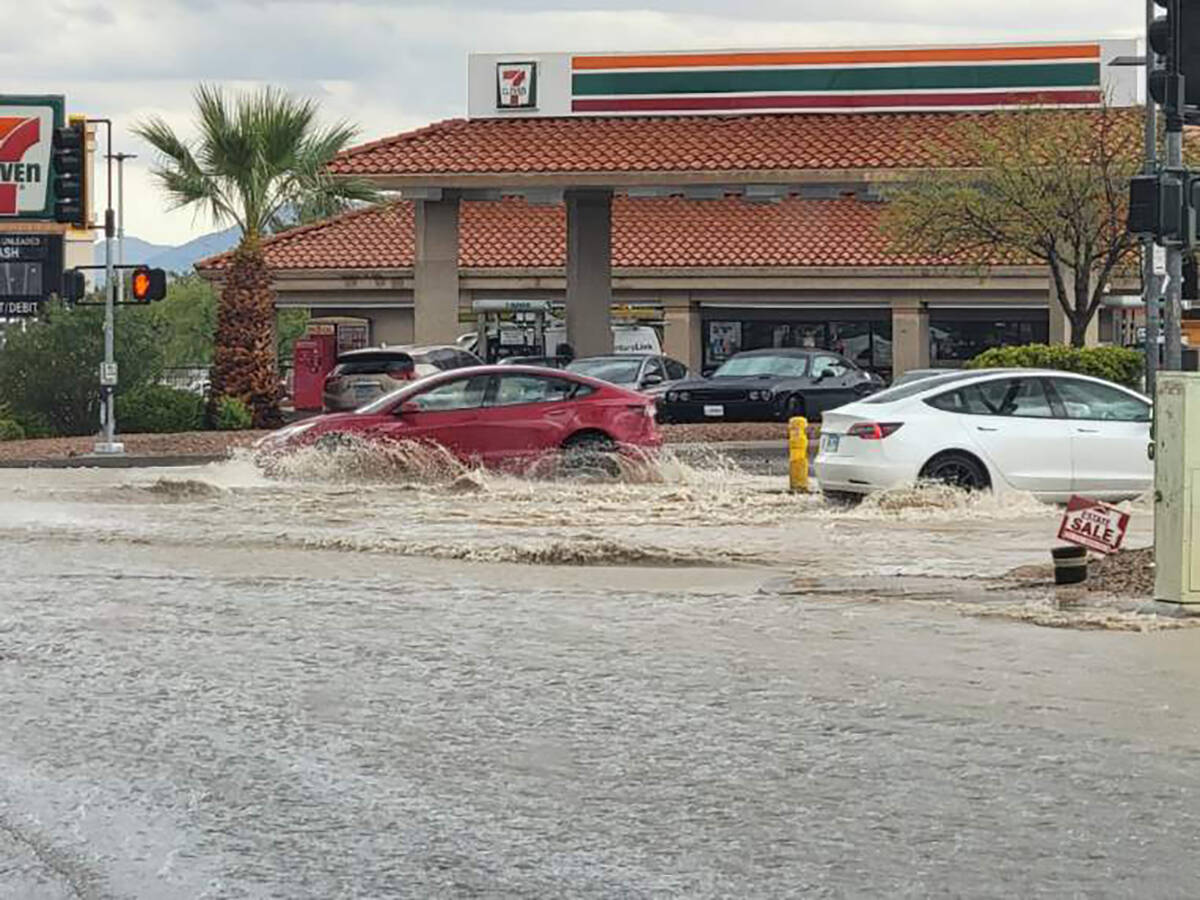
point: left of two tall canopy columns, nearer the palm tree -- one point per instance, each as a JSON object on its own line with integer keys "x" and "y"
{"x": 436, "y": 272}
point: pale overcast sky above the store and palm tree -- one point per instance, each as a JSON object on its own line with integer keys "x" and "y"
{"x": 392, "y": 65}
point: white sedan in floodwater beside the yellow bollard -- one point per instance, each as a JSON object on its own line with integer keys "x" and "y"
{"x": 1048, "y": 433}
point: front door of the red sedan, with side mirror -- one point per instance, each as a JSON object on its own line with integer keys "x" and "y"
{"x": 447, "y": 415}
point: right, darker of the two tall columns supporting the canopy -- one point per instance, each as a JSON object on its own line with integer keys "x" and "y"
{"x": 590, "y": 272}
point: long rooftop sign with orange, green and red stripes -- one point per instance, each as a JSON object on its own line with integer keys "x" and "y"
{"x": 823, "y": 80}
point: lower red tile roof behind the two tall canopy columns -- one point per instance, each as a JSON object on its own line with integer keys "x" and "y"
{"x": 668, "y": 232}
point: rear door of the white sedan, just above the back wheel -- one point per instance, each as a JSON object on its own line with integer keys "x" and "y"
{"x": 1015, "y": 422}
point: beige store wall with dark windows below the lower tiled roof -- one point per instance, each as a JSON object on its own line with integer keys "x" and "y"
{"x": 889, "y": 321}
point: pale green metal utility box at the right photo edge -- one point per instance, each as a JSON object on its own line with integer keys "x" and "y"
{"x": 1178, "y": 488}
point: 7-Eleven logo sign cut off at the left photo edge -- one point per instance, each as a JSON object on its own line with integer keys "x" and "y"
{"x": 27, "y": 134}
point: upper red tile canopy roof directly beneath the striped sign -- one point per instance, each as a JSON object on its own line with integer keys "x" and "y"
{"x": 649, "y": 145}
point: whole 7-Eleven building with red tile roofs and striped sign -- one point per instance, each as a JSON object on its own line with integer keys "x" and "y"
{"x": 734, "y": 199}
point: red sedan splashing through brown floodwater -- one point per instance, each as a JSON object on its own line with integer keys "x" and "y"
{"x": 495, "y": 415}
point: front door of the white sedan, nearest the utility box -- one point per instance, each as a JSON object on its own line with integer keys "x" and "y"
{"x": 1109, "y": 439}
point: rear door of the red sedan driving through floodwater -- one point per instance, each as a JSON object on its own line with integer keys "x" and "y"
{"x": 526, "y": 416}
